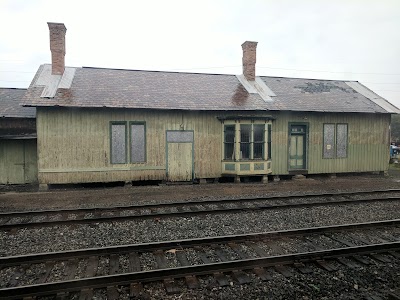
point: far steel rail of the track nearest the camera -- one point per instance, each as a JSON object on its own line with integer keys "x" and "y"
{"x": 186, "y": 243}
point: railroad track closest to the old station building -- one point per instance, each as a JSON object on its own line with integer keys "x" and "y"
{"x": 26, "y": 219}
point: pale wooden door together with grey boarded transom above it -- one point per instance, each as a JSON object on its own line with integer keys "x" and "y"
{"x": 180, "y": 155}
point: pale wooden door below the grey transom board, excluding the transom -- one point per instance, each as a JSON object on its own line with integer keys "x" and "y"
{"x": 180, "y": 161}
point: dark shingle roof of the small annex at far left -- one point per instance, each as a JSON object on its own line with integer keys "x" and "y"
{"x": 10, "y": 107}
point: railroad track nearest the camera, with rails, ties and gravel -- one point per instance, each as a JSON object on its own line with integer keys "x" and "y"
{"x": 78, "y": 272}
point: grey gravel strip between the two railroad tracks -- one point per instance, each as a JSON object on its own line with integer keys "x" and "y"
{"x": 58, "y": 238}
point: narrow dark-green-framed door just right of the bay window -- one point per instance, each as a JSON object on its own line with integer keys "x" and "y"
{"x": 297, "y": 147}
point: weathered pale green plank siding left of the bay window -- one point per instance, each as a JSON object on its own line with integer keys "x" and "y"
{"x": 74, "y": 144}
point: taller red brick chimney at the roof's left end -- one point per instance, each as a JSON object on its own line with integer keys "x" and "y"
{"x": 57, "y": 47}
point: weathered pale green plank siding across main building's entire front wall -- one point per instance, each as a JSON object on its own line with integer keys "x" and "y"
{"x": 74, "y": 144}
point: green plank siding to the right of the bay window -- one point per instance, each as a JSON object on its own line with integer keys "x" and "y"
{"x": 368, "y": 140}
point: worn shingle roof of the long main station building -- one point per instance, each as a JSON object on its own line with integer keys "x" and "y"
{"x": 97, "y": 87}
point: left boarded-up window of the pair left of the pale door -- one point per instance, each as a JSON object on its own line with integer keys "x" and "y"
{"x": 118, "y": 143}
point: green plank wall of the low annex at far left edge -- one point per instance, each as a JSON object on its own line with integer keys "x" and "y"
{"x": 18, "y": 161}
